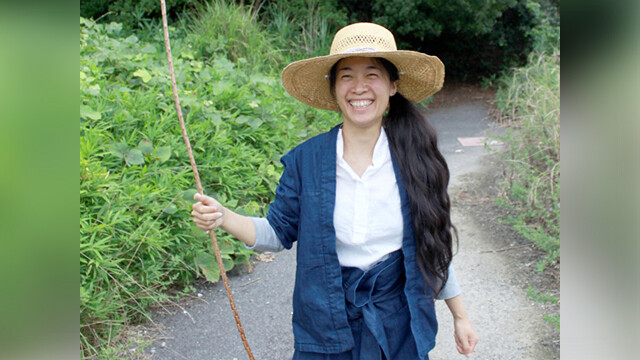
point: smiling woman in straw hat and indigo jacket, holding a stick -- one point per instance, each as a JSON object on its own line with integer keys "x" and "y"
{"x": 366, "y": 203}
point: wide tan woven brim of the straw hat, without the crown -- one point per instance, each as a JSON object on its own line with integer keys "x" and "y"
{"x": 421, "y": 76}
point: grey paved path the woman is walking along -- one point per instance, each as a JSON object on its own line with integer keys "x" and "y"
{"x": 494, "y": 267}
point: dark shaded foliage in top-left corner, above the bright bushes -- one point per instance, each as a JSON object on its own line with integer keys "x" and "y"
{"x": 133, "y": 13}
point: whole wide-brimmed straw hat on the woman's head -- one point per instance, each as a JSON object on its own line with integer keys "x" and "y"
{"x": 307, "y": 80}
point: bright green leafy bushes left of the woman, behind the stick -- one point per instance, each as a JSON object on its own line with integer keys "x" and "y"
{"x": 136, "y": 241}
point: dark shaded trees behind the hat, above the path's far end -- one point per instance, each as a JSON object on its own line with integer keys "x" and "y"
{"x": 474, "y": 39}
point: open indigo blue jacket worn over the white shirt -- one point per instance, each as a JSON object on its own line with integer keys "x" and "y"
{"x": 303, "y": 211}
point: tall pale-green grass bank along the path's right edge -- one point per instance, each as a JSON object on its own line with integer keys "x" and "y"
{"x": 529, "y": 99}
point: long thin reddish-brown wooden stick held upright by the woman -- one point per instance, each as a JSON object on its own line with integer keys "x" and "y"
{"x": 216, "y": 249}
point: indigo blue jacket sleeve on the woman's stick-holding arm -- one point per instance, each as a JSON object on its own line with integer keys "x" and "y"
{"x": 284, "y": 211}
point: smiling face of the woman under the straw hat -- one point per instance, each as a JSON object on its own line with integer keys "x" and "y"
{"x": 362, "y": 90}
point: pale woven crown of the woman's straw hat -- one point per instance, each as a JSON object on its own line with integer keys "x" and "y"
{"x": 362, "y": 37}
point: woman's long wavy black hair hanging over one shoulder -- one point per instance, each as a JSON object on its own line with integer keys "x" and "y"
{"x": 424, "y": 170}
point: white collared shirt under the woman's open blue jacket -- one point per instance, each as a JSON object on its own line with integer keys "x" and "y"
{"x": 367, "y": 216}
